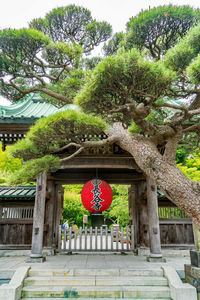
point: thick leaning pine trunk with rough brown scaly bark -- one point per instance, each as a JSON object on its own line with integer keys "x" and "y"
{"x": 182, "y": 191}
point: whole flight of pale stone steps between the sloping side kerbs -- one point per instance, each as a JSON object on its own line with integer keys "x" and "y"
{"x": 96, "y": 284}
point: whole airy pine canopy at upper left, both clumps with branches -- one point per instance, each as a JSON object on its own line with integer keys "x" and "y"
{"x": 41, "y": 57}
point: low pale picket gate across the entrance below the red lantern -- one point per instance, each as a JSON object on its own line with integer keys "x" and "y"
{"x": 98, "y": 239}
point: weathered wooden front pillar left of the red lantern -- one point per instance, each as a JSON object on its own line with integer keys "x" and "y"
{"x": 38, "y": 219}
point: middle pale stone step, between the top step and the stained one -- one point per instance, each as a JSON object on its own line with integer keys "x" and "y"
{"x": 96, "y": 281}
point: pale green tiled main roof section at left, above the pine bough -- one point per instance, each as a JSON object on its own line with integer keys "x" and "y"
{"x": 29, "y": 110}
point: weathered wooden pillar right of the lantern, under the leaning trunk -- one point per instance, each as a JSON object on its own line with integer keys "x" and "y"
{"x": 153, "y": 217}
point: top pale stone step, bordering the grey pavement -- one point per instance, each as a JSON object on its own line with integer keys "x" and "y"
{"x": 94, "y": 272}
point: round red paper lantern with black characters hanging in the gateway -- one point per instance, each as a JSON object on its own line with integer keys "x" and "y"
{"x": 96, "y": 195}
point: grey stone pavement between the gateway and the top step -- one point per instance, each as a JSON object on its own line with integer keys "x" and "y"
{"x": 174, "y": 258}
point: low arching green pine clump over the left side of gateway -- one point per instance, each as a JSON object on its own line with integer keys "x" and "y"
{"x": 51, "y": 133}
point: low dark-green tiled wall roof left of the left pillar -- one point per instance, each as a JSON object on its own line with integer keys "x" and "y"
{"x": 26, "y": 191}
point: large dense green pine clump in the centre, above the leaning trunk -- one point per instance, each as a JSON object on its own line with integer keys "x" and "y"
{"x": 119, "y": 79}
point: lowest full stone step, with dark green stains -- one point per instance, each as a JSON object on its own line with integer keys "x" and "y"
{"x": 137, "y": 292}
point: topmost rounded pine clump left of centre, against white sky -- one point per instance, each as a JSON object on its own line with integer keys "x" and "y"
{"x": 73, "y": 24}
